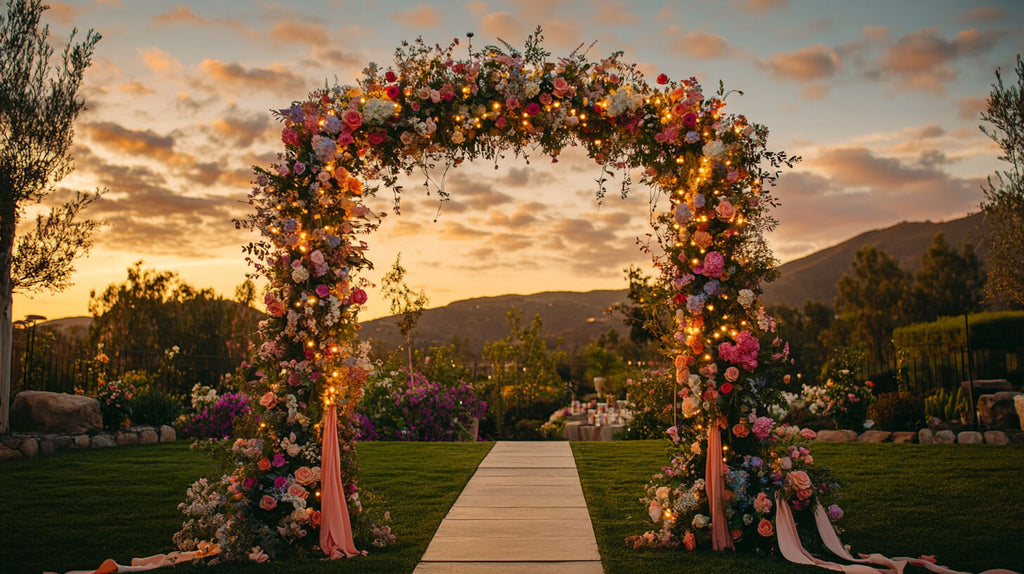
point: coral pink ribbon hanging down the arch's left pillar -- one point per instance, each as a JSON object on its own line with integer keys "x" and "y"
{"x": 336, "y": 529}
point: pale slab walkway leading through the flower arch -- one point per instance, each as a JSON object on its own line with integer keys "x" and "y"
{"x": 523, "y": 512}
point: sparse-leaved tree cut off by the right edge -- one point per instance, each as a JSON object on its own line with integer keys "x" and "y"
{"x": 1004, "y": 204}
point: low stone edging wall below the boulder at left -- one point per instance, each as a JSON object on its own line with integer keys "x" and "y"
{"x": 17, "y": 446}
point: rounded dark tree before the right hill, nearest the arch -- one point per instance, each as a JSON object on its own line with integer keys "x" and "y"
{"x": 873, "y": 298}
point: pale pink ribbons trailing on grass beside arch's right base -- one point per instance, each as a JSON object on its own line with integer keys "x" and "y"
{"x": 789, "y": 545}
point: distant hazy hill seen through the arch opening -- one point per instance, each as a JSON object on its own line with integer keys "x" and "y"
{"x": 577, "y": 318}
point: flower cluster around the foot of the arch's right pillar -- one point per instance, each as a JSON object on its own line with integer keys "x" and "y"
{"x": 780, "y": 463}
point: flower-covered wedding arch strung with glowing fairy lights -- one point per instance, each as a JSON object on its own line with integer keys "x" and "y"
{"x": 431, "y": 111}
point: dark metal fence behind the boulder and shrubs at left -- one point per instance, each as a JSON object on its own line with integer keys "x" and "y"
{"x": 62, "y": 367}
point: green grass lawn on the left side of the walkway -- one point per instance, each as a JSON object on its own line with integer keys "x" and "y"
{"x": 76, "y": 510}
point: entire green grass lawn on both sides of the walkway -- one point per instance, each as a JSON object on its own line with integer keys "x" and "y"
{"x": 963, "y": 504}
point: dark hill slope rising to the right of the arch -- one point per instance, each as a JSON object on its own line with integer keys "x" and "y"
{"x": 815, "y": 278}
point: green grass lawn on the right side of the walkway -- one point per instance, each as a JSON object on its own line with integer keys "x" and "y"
{"x": 964, "y": 504}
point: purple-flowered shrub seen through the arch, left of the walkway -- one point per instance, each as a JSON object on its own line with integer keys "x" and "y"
{"x": 419, "y": 411}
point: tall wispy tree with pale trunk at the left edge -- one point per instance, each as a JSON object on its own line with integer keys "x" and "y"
{"x": 38, "y": 107}
